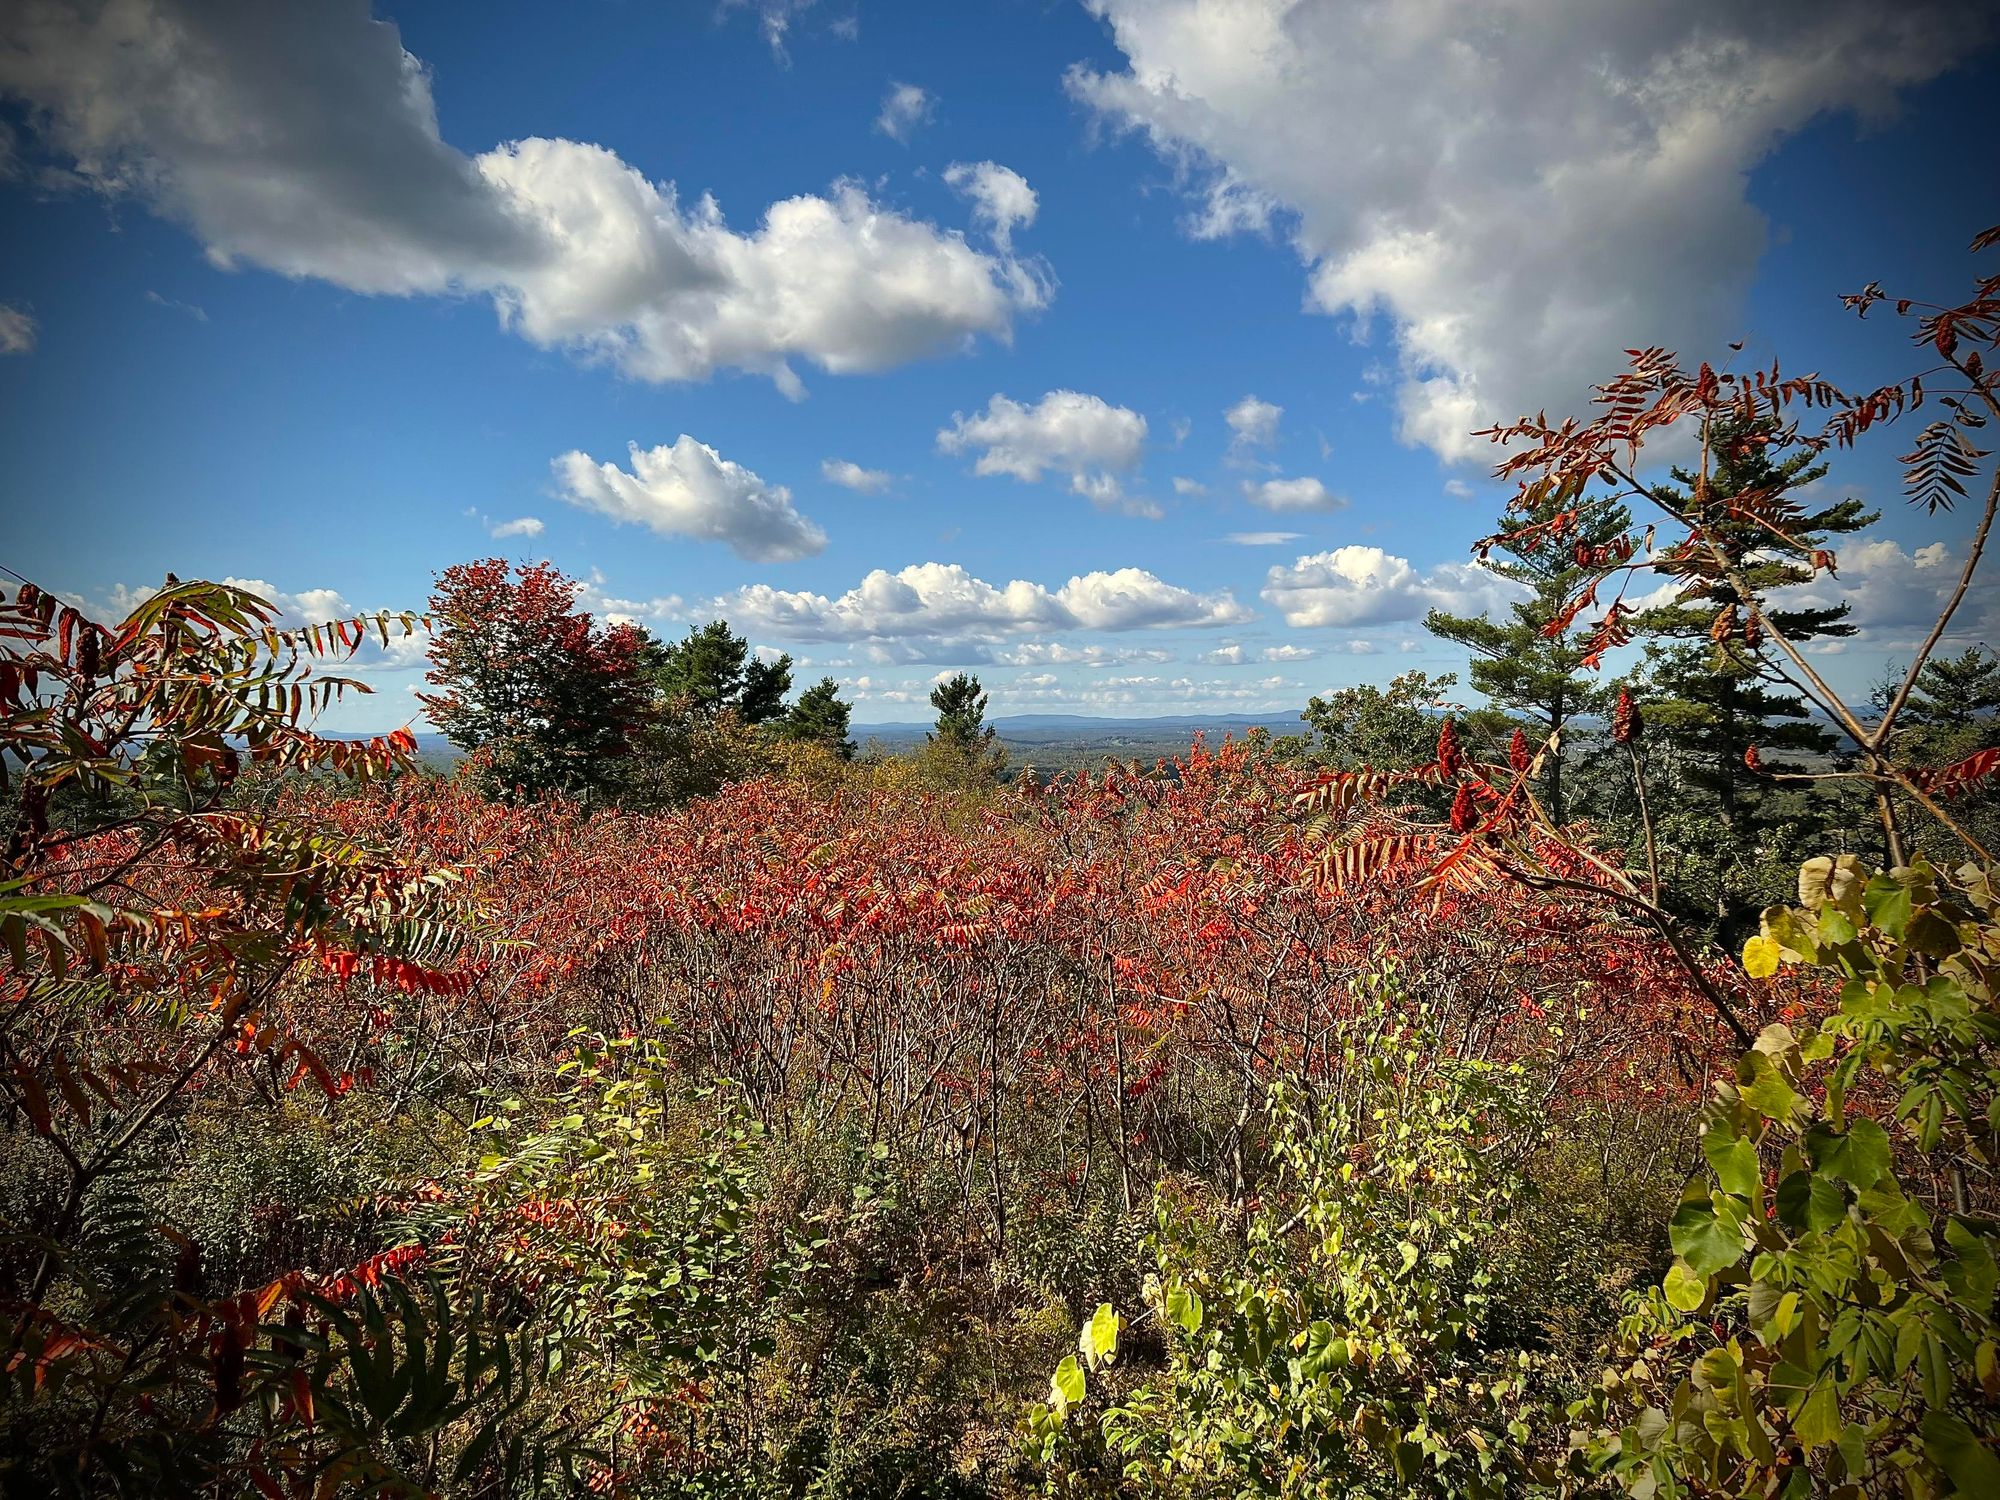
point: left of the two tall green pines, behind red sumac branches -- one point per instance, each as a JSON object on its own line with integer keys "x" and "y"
{"x": 1513, "y": 661}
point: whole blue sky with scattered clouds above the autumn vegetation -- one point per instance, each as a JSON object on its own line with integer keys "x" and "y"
{"x": 957, "y": 367}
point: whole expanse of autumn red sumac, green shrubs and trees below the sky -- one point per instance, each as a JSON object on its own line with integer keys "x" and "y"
{"x": 1581, "y": 1079}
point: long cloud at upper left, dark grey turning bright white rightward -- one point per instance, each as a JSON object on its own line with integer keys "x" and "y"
{"x": 305, "y": 139}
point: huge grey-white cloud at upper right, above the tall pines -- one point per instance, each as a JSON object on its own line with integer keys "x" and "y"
{"x": 1543, "y": 185}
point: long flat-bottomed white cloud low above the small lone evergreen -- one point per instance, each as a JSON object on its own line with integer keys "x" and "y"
{"x": 941, "y": 601}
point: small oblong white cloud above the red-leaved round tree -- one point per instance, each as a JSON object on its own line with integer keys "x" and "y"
{"x": 687, "y": 489}
